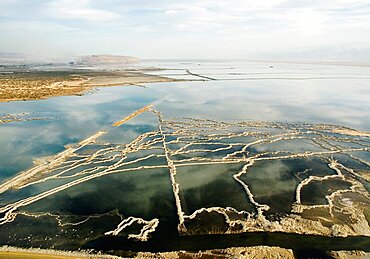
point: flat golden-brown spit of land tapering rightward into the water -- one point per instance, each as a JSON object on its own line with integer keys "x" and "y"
{"x": 40, "y": 85}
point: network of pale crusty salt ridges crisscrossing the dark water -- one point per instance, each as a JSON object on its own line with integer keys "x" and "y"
{"x": 111, "y": 159}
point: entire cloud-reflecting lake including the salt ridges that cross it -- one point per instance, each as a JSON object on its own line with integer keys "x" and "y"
{"x": 211, "y": 157}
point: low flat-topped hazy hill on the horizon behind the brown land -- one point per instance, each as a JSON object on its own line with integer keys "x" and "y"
{"x": 105, "y": 60}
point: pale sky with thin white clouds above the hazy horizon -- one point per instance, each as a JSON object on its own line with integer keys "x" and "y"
{"x": 288, "y": 29}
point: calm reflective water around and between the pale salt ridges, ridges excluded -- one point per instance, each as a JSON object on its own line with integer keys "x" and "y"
{"x": 246, "y": 91}
